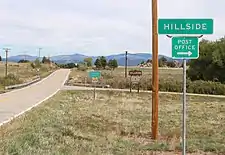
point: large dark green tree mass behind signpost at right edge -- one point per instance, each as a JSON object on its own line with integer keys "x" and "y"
{"x": 210, "y": 65}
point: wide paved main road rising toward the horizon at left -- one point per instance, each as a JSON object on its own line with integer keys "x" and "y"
{"x": 16, "y": 102}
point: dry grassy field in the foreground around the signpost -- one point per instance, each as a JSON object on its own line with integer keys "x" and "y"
{"x": 116, "y": 123}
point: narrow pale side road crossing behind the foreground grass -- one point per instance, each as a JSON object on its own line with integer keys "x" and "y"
{"x": 127, "y": 90}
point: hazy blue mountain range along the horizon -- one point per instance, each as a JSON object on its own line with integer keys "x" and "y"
{"x": 133, "y": 59}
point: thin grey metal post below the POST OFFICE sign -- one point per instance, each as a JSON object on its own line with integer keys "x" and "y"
{"x": 184, "y": 109}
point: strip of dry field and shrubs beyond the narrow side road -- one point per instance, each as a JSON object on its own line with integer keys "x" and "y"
{"x": 170, "y": 80}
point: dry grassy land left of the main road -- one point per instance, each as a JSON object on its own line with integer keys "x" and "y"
{"x": 23, "y": 72}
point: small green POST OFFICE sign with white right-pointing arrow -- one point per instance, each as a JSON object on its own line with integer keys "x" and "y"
{"x": 185, "y": 48}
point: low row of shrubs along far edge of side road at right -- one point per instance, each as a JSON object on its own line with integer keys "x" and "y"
{"x": 167, "y": 85}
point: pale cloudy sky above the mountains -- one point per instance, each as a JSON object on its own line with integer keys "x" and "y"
{"x": 98, "y": 27}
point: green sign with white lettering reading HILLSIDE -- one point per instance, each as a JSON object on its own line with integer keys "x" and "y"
{"x": 185, "y": 26}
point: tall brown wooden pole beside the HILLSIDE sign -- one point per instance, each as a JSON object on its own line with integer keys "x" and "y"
{"x": 155, "y": 76}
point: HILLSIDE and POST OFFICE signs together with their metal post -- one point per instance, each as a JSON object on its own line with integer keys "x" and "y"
{"x": 185, "y": 47}
